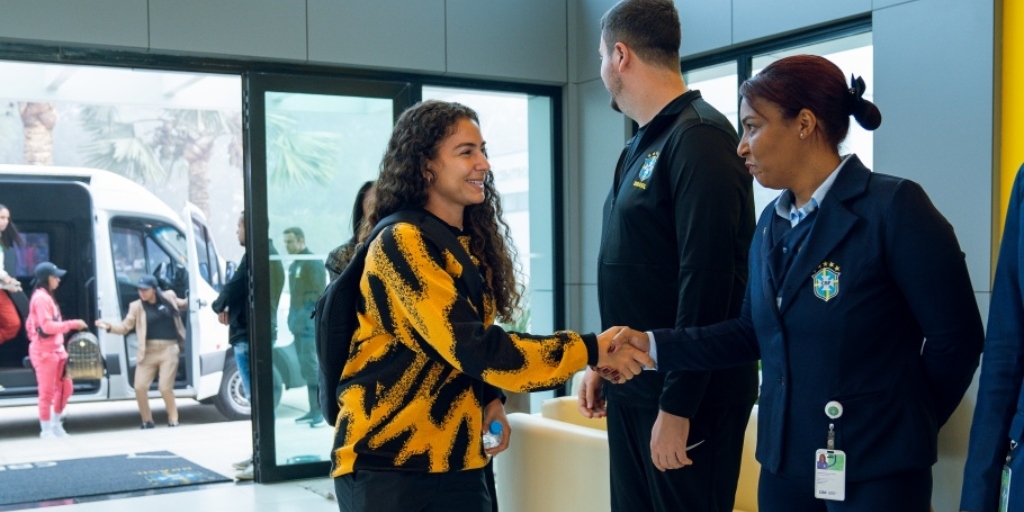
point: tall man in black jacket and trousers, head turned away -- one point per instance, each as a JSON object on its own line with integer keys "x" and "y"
{"x": 678, "y": 225}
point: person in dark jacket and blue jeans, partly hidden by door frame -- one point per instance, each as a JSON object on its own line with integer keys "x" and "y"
{"x": 232, "y": 308}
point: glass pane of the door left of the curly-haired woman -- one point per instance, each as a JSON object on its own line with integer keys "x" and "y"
{"x": 320, "y": 150}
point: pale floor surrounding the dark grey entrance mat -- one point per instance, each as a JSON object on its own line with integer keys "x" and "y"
{"x": 100, "y": 430}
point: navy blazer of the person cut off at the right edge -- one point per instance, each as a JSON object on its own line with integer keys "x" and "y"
{"x": 999, "y": 417}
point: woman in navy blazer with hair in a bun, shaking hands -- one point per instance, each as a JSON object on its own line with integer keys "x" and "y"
{"x": 860, "y": 297}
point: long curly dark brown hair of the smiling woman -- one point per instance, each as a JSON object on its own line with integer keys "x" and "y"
{"x": 403, "y": 185}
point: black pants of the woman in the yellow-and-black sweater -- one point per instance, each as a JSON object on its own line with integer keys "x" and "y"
{"x": 369, "y": 491}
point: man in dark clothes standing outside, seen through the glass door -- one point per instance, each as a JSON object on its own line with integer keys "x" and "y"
{"x": 307, "y": 280}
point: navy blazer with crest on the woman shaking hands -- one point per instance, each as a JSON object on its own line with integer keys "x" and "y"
{"x": 897, "y": 339}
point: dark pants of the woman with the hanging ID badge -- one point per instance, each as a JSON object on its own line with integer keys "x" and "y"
{"x": 906, "y": 492}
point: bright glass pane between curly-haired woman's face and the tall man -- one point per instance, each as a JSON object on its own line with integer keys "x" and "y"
{"x": 518, "y": 130}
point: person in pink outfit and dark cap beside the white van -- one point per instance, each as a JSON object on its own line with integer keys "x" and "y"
{"x": 47, "y": 329}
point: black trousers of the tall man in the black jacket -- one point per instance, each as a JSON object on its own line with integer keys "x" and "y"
{"x": 708, "y": 486}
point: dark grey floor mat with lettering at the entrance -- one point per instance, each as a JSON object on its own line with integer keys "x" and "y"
{"x": 49, "y": 481}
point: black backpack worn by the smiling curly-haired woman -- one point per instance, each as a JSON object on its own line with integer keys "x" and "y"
{"x": 335, "y": 316}
